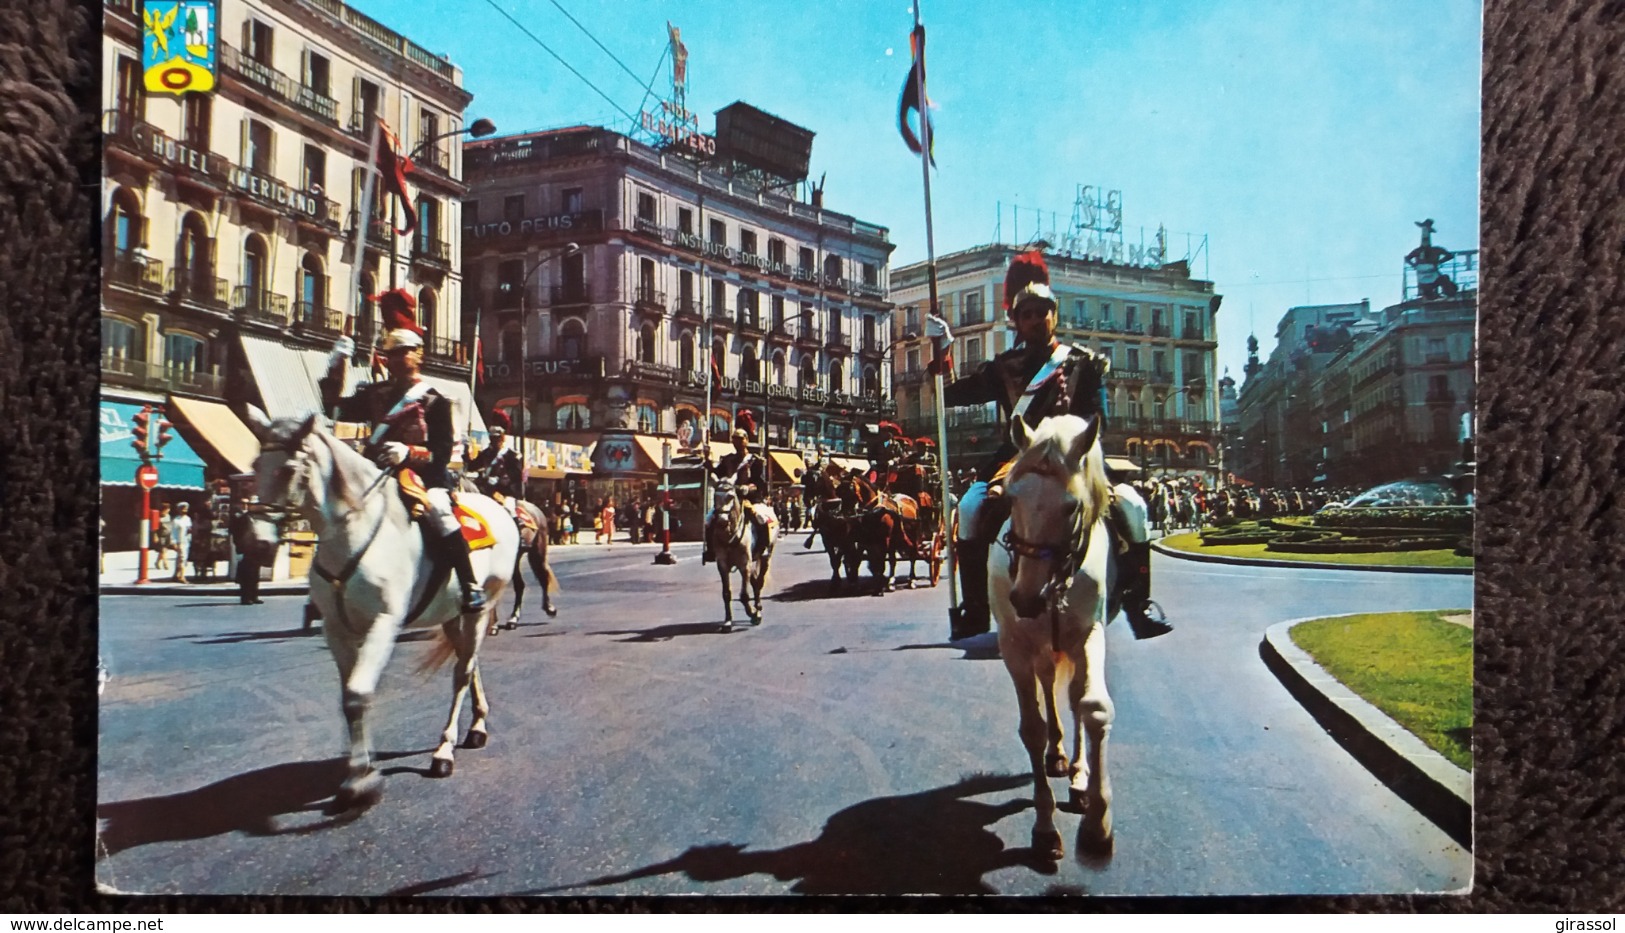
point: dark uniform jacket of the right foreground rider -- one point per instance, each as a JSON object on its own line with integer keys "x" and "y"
{"x": 1005, "y": 378}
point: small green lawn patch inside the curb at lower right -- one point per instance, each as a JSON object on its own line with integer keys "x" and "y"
{"x": 1415, "y": 667}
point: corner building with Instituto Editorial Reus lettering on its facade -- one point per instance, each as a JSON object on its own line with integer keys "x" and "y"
{"x": 620, "y": 287}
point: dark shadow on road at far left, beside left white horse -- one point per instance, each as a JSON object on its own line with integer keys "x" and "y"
{"x": 243, "y": 804}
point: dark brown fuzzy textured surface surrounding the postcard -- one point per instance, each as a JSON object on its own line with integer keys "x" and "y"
{"x": 1551, "y": 726}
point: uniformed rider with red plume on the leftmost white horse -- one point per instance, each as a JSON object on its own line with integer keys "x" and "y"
{"x": 410, "y": 428}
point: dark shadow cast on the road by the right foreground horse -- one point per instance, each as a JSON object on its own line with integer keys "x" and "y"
{"x": 930, "y": 843}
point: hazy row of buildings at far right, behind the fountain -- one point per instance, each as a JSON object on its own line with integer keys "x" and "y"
{"x": 1354, "y": 399}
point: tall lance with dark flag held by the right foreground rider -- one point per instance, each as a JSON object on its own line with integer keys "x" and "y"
{"x": 914, "y": 98}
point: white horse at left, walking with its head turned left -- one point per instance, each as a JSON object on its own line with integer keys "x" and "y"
{"x": 371, "y": 579}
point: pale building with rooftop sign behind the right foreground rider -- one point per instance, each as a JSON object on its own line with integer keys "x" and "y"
{"x": 1155, "y": 323}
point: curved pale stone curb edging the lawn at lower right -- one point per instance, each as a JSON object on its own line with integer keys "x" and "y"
{"x": 1423, "y": 778}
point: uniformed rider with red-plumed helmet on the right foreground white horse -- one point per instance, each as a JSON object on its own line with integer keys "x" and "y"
{"x": 1036, "y": 380}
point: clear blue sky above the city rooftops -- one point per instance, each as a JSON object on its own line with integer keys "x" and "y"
{"x": 1302, "y": 139}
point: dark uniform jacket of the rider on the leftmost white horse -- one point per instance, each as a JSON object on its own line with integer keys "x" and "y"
{"x": 423, "y": 425}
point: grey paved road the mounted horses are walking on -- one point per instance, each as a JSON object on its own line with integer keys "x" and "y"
{"x": 839, "y": 749}
